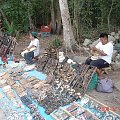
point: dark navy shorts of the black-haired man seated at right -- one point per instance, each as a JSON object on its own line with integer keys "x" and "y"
{"x": 99, "y": 63}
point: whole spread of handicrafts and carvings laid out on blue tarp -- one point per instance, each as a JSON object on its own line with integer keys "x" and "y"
{"x": 27, "y": 94}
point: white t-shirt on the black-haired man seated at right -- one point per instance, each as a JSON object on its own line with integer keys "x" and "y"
{"x": 108, "y": 49}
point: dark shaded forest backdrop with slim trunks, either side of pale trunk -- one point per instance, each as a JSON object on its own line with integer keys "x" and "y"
{"x": 87, "y": 16}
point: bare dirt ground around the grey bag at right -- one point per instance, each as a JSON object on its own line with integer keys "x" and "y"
{"x": 110, "y": 99}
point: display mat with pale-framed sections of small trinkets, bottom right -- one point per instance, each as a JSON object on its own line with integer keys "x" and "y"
{"x": 86, "y": 109}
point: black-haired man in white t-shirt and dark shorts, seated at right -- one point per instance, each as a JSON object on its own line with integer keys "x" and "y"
{"x": 105, "y": 49}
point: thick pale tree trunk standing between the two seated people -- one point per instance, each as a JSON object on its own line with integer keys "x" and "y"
{"x": 69, "y": 40}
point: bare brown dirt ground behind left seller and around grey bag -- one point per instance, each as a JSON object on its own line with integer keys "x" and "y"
{"x": 110, "y": 99}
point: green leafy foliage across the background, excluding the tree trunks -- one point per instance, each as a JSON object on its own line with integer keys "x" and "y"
{"x": 21, "y": 14}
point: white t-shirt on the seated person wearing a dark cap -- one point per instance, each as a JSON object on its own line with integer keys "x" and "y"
{"x": 36, "y": 43}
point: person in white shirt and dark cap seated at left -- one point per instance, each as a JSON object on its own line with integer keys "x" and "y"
{"x": 32, "y": 50}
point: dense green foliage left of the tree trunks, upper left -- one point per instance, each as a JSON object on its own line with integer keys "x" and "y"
{"x": 24, "y": 13}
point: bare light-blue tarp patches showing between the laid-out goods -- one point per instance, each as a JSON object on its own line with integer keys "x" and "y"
{"x": 42, "y": 76}
